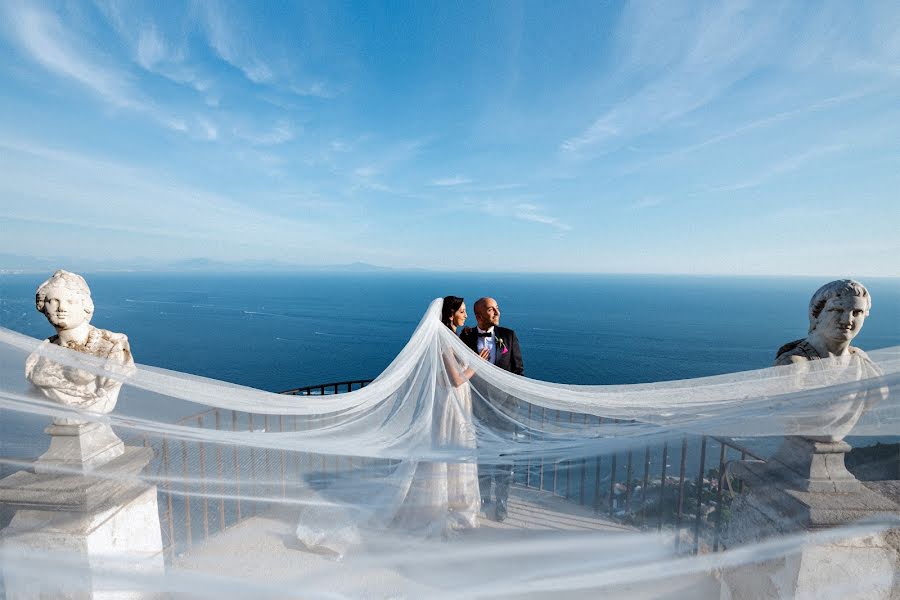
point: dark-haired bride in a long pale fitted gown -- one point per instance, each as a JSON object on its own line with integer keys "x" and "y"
{"x": 444, "y": 495}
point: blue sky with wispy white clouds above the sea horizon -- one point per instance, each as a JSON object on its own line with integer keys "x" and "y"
{"x": 645, "y": 137}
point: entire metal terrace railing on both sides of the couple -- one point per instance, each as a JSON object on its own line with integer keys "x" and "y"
{"x": 638, "y": 487}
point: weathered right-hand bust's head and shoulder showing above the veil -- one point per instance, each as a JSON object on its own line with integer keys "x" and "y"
{"x": 837, "y": 312}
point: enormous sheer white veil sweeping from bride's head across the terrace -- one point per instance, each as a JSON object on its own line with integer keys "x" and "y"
{"x": 375, "y": 492}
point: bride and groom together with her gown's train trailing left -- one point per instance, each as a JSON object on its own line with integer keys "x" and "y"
{"x": 443, "y": 411}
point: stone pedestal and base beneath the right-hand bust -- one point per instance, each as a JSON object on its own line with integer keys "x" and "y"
{"x": 805, "y": 488}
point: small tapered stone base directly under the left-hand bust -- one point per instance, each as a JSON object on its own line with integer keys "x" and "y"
{"x": 79, "y": 447}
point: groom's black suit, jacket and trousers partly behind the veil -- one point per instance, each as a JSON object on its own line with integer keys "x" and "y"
{"x": 497, "y": 410}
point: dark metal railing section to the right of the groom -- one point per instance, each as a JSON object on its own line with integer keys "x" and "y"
{"x": 637, "y": 487}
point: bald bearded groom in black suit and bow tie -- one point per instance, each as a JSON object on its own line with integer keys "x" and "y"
{"x": 503, "y": 350}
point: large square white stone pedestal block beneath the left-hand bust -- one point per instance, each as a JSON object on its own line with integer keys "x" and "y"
{"x": 90, "y": 533}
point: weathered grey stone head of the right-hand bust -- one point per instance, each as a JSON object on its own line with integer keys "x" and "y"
{"x": 840, "y": 296}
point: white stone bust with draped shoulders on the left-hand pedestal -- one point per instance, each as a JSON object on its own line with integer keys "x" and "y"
{"x": 65, "y": 300}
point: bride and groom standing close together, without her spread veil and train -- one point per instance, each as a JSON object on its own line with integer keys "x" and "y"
{"x": 494, "y": 412}
